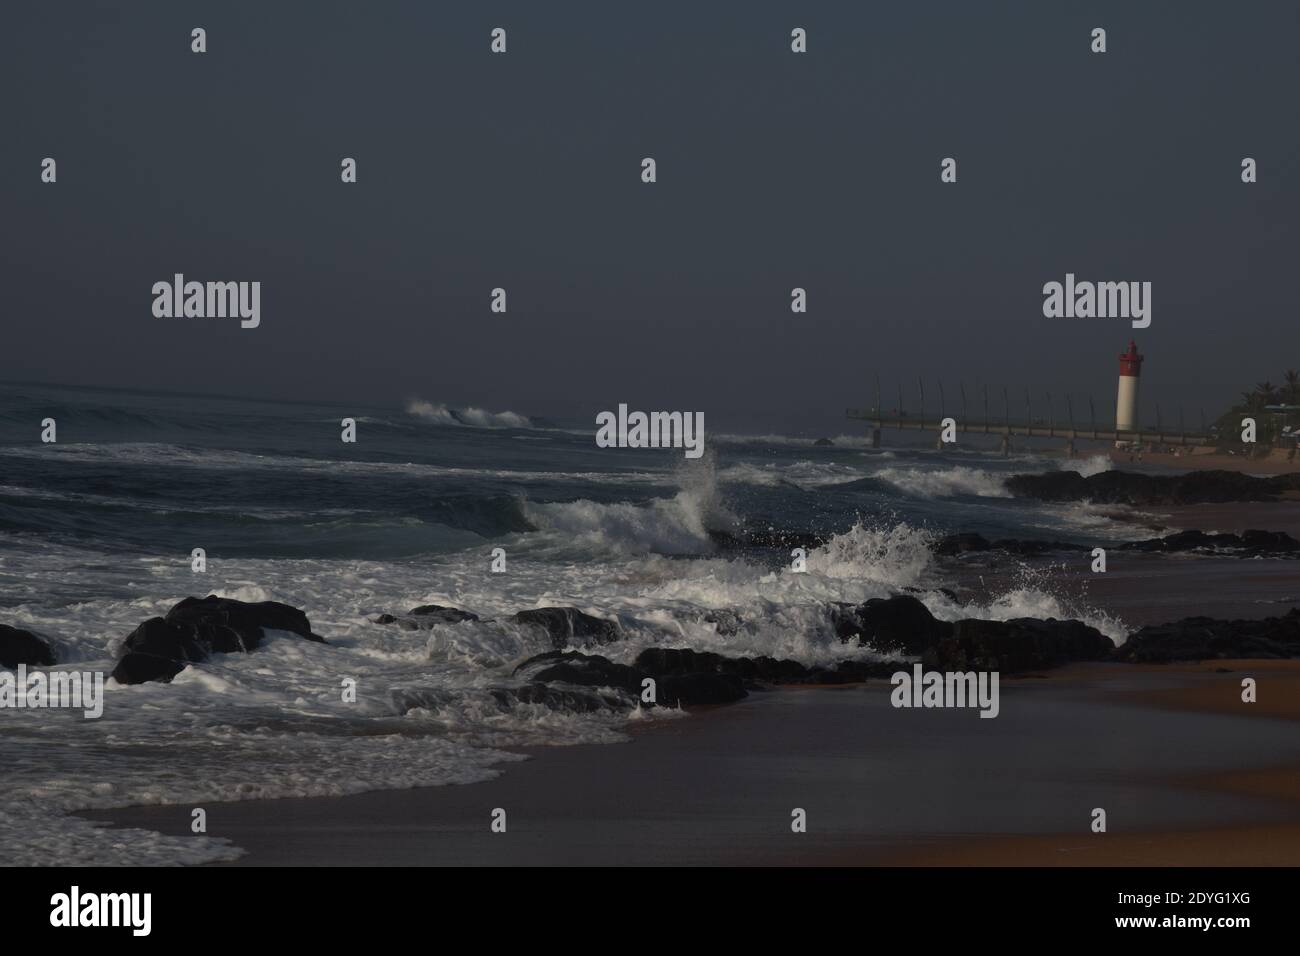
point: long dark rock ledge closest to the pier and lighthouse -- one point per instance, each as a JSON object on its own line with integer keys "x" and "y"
{"x": 1133, "y": 488}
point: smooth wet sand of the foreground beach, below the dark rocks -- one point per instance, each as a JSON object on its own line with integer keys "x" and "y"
{"x": 879, "y": 785}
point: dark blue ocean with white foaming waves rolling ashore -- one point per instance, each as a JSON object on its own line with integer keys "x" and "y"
{"x": 97, "y": 534}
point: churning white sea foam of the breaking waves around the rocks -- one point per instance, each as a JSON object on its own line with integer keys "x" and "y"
{"x": 274, "y": 724}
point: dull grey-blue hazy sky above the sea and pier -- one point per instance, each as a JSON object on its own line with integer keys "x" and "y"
{"x": 775, "y": 171}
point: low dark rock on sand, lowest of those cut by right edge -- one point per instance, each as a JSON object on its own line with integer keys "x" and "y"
{"x": 1207, "y": 639}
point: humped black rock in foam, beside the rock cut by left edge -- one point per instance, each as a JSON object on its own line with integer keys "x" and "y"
{"x": 197, "y": 629}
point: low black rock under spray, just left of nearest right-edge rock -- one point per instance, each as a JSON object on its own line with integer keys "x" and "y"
{"x": 1016, "y": 646}
